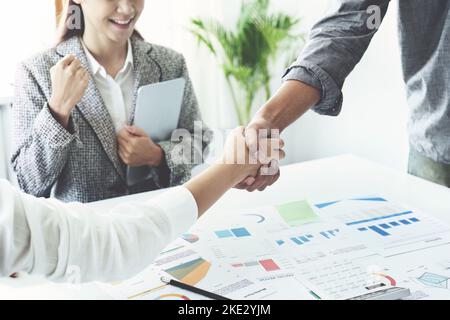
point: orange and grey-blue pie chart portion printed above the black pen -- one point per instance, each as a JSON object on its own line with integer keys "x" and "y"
{"x": 191, "y": 272}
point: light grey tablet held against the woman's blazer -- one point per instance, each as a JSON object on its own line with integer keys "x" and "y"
{"x": 158, "y": 109}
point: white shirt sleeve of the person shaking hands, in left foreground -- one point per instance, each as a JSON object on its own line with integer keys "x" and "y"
{"x": 71, "y": 241}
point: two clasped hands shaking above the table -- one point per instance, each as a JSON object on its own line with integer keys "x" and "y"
{"x": 257, "y": 152}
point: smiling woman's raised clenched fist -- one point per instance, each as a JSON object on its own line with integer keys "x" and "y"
{"x": 69, "y": 82}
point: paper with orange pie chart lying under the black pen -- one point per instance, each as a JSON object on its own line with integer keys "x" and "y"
{"x": 180, "y": 262}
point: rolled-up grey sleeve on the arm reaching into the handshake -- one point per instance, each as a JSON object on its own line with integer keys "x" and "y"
{"x": 337, "y": 43}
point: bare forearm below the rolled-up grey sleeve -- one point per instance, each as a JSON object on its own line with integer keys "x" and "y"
{"x": 292, "y": 100}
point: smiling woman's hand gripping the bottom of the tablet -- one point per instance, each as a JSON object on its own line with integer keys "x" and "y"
{"x": 137, "y": 149}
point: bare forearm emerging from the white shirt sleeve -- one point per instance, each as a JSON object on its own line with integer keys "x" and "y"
{"x": 212, "y": 184}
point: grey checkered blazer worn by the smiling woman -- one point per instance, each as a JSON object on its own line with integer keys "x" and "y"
{"x": 82, "y": 164}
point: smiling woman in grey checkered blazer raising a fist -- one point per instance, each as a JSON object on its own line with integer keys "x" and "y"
{"x": 74, "y": 105}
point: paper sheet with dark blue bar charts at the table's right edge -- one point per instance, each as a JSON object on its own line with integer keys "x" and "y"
{"x": 388, "y": 228}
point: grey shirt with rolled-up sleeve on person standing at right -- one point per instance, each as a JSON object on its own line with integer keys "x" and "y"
{"x": 339, "y": 41}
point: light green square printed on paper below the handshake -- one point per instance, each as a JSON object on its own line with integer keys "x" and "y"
{"x": 297, "y": 213}
